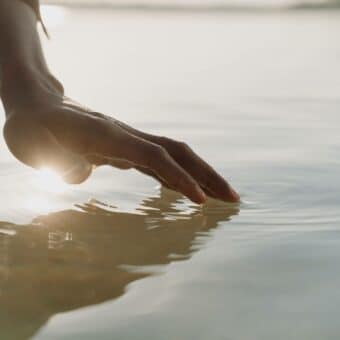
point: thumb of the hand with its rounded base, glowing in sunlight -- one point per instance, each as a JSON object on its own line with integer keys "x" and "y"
{"x": 35, "y": 146}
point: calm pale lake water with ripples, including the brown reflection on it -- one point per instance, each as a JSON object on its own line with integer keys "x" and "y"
{"x": 257, "y": 95}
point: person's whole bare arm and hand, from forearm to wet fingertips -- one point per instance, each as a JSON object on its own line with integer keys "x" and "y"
{"x": 44, "y": 128}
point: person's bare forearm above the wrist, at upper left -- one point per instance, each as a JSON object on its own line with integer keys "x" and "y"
{"x": 23, "y": 69}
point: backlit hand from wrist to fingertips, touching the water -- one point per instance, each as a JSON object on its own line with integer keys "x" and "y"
{"x": 59, "y": 133}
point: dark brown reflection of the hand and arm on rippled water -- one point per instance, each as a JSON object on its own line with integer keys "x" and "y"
{"x": 77, "y": 258}
